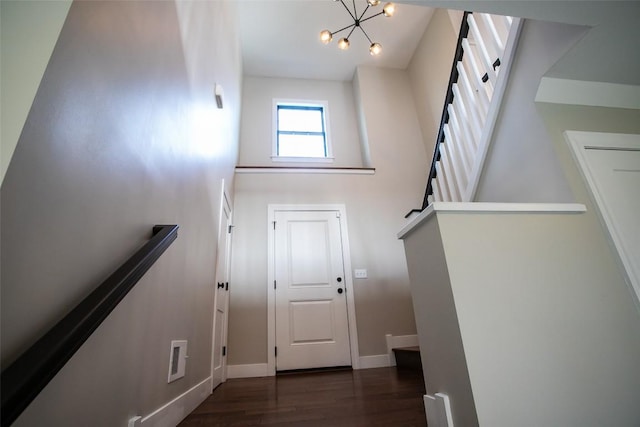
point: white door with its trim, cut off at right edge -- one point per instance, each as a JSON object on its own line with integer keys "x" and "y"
{"x": 611, "y": 166}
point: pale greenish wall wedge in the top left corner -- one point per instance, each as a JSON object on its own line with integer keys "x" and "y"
{"x": 29, "y": 30}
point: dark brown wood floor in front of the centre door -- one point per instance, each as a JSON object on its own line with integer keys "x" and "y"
{"x": 368, "y": 397}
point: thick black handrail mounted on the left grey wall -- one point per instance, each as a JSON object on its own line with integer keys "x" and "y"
{"x": 25, "y": 378}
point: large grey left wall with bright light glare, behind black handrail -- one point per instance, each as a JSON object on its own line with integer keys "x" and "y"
{"x": 123, "y": 134}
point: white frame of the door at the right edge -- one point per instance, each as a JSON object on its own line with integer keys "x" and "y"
{"x": 579, "y": 142}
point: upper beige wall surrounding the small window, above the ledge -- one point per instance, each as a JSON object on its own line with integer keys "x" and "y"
{"x": 257, "y": 133}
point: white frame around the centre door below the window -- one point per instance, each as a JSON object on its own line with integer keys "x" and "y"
{"x": 348, "y": 279}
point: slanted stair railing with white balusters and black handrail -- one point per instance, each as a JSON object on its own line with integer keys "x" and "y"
{"x": 479, "y": 74}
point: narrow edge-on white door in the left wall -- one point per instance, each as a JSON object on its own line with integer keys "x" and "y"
{"x": 220, "y": 314}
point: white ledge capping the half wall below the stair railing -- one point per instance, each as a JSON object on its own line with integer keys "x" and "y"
{"x": 483, "y": 207}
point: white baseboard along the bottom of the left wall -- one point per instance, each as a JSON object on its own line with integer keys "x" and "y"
{"x": 175, "y": 411}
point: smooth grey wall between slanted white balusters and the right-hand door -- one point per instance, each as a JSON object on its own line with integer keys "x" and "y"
{"x": 522, "y": 165}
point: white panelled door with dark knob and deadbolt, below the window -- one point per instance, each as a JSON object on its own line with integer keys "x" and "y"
{"x": 311, "y": 307}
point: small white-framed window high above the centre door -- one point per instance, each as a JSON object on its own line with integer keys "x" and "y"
{"x": 301, "y": 132}
